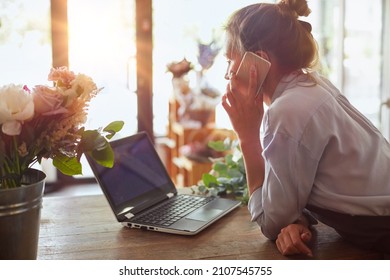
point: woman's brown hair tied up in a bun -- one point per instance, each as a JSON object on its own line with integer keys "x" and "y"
{"x": 275, "y": 28}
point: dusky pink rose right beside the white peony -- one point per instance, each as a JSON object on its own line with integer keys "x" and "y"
{"x": 48, "y": 101}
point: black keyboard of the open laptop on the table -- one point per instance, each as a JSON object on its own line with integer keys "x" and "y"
{"x": 173, "y": 210}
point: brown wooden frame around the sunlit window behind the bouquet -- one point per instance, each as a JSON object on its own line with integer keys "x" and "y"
{"x": 60, "y": 57}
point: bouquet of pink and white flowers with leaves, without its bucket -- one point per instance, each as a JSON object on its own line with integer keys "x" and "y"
{"x": 47, "y": 122}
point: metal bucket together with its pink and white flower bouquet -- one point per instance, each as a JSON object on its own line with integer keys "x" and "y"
{"x": 44, "y": 122}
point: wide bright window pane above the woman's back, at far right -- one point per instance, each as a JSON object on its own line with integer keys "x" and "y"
{"x": 362, "y": 56}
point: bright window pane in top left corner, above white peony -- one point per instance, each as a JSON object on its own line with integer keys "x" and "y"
{"x": 30, "y": 34}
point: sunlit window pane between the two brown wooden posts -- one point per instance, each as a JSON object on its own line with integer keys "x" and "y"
{"x": 102, "y": 45}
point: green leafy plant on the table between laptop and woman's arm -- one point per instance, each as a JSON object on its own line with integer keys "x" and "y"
{"x": 227, "y": 175}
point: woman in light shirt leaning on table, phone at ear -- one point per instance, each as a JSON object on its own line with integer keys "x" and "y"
{"x": 316, "y": 154}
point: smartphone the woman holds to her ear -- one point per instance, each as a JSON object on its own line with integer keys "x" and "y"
{"x": 262, "y": 67}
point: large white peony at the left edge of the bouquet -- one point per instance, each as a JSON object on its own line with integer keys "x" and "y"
{"x": 16, "y": 106}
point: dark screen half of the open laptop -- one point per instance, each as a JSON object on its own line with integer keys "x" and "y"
{"x": 138, "y": 178}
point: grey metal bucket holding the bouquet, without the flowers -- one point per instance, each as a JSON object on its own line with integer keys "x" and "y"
{"x": 20, "y": 213}
